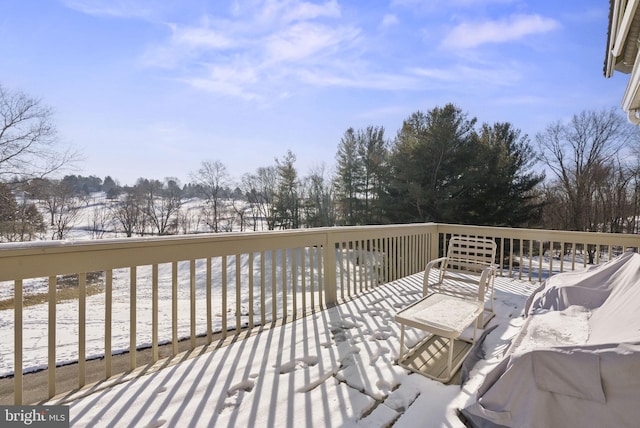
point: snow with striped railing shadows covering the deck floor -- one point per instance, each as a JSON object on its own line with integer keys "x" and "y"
{"x": 334, "y": 368}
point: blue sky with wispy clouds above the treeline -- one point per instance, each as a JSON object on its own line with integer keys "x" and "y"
{"x": 148, "y": 88}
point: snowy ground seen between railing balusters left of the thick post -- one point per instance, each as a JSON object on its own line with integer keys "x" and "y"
{"x": 35, "y": 337}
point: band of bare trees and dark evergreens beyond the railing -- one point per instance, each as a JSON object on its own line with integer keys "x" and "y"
{"x": 441, "y": 166}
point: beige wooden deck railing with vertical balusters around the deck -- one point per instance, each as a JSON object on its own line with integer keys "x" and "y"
{"x": 279, "y": 275}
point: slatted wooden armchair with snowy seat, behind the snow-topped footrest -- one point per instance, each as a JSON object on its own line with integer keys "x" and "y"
{"x": 467, "y": 271}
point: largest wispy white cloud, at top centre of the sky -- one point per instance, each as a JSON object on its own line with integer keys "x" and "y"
{"x": 259, "y": 51}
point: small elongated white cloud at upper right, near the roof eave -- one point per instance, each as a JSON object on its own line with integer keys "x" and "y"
{"x": 516, "y": 27}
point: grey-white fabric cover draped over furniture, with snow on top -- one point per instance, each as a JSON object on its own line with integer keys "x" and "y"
{"x": 576, "y": 360}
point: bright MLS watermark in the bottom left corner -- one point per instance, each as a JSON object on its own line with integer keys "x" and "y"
{"x": 34, "y": 416}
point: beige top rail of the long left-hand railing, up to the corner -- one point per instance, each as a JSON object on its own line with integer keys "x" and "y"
{"x": 46, "y": 258}
